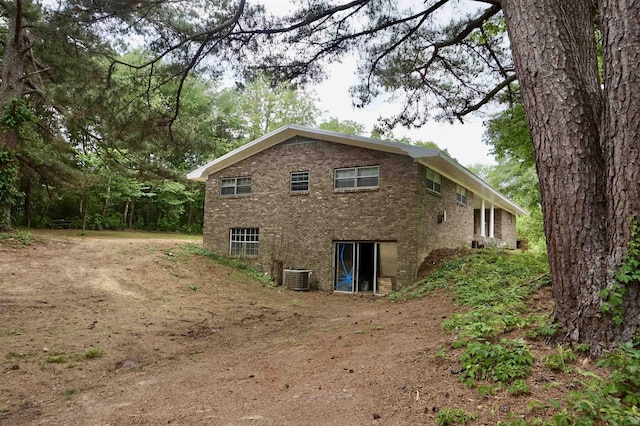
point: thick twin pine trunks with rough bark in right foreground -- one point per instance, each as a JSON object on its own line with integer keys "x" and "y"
{"x": 584, "y": 151}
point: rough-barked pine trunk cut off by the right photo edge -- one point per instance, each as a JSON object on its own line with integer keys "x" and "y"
{"x": 621, "y": 133}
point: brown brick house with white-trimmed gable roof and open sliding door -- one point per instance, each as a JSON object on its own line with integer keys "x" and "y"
{"x": 360, "y": 214}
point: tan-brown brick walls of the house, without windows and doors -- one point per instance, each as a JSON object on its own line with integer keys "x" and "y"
{"x": 298, "y": 230}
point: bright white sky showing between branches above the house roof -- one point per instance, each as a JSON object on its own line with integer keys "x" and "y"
{"x": 462, "y": 141}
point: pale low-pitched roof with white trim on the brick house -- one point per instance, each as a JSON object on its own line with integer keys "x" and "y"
{"x": 431, "y": 158}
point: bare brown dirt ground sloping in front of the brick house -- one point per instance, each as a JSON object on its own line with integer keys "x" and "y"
{"x": 118, "y": 332}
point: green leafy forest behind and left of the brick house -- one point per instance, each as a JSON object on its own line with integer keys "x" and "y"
{"x": 141, "y": 184}
